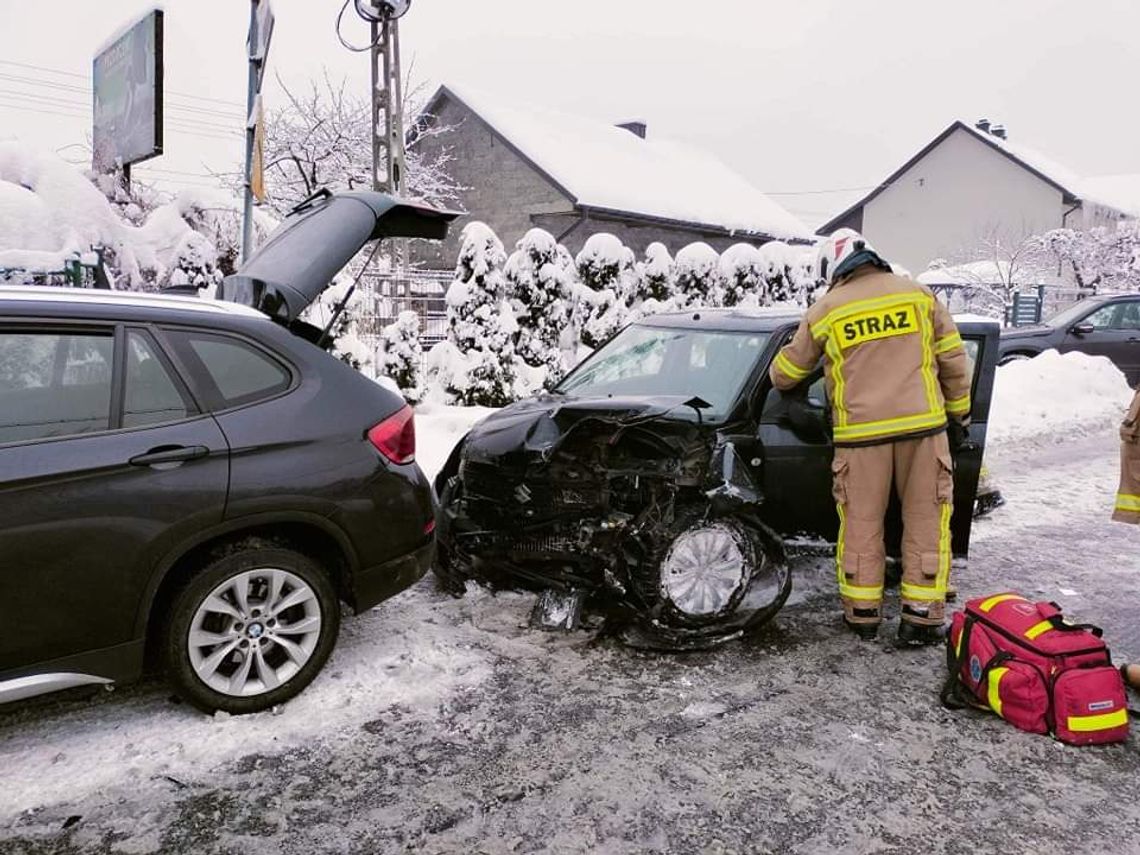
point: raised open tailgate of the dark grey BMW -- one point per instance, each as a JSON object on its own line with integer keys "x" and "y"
{"x": 317, "y": 240}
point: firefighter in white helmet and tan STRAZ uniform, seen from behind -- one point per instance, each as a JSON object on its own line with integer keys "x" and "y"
{"x": 897, "y": 376}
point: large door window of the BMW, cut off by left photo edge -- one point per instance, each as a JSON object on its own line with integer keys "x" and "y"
{"x": 54, "y": 385}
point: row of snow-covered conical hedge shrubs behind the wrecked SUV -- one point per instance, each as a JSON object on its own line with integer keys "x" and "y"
{"x": 516, "y": 325}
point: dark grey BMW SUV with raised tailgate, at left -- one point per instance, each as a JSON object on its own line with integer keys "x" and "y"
{"x": 190, "y": 483}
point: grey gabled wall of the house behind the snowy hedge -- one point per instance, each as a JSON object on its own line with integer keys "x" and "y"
{"x": 511, "y": 197}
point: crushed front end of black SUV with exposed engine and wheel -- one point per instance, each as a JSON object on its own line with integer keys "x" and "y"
{"x": 629, "y": 508}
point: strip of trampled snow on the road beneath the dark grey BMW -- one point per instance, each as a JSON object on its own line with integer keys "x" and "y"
{"x": 404, "y": 654}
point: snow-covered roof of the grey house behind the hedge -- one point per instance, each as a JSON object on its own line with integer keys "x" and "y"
{"x": 608, "y": 169}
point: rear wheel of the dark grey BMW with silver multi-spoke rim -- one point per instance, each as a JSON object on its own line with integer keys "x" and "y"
{"x": 251, "y": 631}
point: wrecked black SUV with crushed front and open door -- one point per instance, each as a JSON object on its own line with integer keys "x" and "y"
{"x": 664, "y": 483}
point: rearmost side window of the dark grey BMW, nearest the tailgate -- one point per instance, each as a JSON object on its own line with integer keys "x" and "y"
{"x": 239, "y": 372}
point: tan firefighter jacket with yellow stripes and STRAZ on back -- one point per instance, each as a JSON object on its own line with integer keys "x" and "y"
{"x": 895, "y": 364}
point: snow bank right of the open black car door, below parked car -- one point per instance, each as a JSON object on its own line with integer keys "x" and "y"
{"x": 1055, "y": 398}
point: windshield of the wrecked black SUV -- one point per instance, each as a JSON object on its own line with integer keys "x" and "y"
{"x": 644, "y": 361}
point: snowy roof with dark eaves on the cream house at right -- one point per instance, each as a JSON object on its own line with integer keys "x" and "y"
{"x": 1121, "y": 193}
